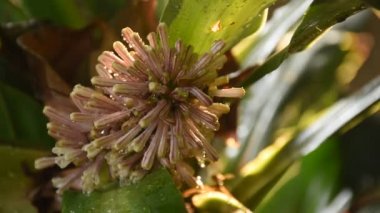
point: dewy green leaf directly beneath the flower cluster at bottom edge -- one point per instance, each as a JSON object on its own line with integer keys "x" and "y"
{"x": 154, "y": 193}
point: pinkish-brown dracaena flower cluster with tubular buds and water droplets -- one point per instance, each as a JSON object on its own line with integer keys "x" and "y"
{"x": 151, "y": 105}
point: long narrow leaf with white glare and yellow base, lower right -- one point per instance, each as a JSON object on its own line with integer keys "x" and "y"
{"x": 275, "y": 159}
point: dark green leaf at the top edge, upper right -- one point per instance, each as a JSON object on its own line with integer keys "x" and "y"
{"x": 316, "y": 20}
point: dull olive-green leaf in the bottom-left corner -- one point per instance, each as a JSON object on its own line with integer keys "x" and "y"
{"x": 15, "y": 185}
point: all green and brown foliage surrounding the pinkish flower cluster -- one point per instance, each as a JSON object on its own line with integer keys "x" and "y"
{"x": 304, "y": 139}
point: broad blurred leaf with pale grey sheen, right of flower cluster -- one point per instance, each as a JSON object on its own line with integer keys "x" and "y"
{"x": 292, "y": 102}
